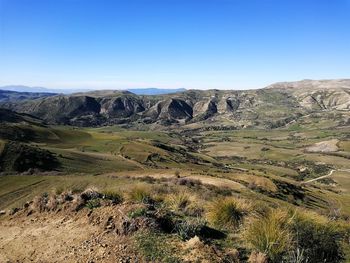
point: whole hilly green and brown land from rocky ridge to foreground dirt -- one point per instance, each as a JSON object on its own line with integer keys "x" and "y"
{"x": 258, "y": 176}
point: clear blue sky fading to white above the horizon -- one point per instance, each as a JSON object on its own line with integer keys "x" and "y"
{"x": 224, "y": 44}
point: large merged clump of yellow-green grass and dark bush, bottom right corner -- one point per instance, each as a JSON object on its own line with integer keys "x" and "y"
{"x": 296, "y": 236}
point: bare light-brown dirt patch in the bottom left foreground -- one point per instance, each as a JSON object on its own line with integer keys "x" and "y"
{"x": 65, "y": 237}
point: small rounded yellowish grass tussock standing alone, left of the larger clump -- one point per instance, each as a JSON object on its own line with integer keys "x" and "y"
{"x": 228, "y": 212}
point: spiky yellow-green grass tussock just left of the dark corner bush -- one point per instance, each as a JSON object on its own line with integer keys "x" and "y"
{"x": 270, "y": 235}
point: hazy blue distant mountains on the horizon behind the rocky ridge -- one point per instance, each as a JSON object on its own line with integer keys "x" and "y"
{"x": 143, "y": 91}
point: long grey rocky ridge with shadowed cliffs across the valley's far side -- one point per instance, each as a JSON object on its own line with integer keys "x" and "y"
{"x": 279, "y": 103}
